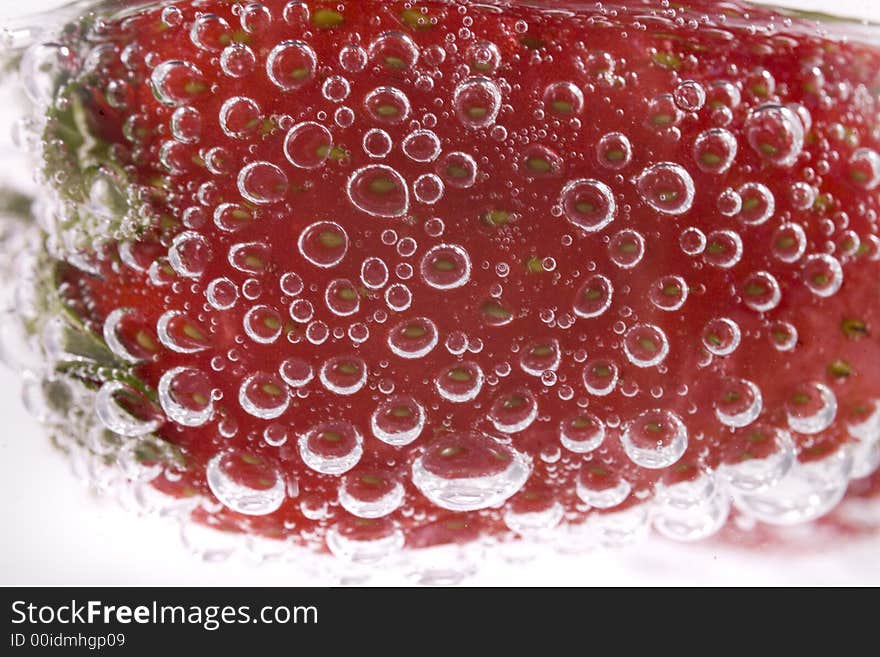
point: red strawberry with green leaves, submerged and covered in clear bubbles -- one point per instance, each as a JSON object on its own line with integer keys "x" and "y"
{"x": 371, "y": 276}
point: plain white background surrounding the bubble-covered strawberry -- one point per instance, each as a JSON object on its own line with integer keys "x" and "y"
{"x": 54, "y": 531}
